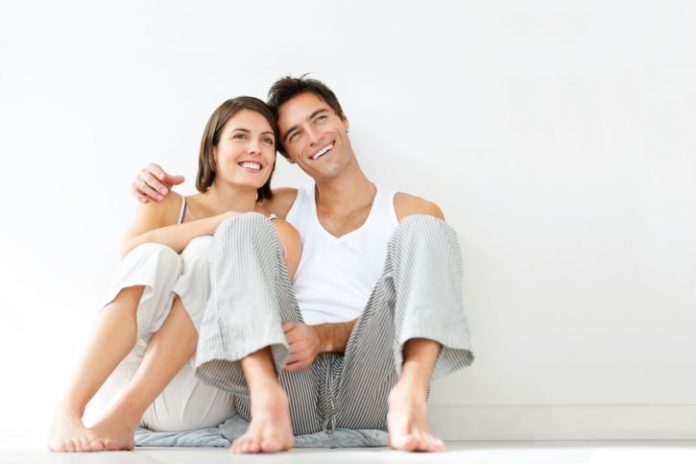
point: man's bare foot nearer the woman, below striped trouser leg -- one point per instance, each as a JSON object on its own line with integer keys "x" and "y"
{"x": 270, "y": 430}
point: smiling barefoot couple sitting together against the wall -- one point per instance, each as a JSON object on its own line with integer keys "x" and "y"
{"x": 299, "y": 310}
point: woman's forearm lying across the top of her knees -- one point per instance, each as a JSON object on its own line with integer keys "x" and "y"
{"x": 176, "y": 236}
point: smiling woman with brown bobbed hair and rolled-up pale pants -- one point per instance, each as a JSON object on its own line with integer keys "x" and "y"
{"x": 146, "y": 336}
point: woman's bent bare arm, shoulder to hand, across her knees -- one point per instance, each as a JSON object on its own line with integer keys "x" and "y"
{"x": 156, "y": 222}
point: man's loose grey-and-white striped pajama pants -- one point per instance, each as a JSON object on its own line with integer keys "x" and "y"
{"x": 419, "y": 295}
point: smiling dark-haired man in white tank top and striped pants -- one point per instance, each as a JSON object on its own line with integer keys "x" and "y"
{"x": 378, "y": 294}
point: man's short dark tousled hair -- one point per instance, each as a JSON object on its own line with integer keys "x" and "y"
{"x": 289, "y": 87}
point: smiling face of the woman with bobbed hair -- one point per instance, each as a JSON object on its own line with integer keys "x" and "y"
{"x": 246, "y": 151}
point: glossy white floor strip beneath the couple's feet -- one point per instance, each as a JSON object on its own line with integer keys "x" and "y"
{"x": 652, "y": 452}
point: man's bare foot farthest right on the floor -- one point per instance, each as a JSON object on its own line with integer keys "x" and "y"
{"x": 406, "y": 421}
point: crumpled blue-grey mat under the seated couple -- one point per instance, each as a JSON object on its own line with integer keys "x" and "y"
{"x": 222, "y": 436}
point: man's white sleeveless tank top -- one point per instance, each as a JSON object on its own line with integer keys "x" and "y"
{"x": 336, "y": 275}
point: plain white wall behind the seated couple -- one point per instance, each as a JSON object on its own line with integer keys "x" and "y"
{"x": 557, "y": 137}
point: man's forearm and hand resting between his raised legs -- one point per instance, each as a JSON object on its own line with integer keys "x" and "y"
{"x": 309, "y": 341}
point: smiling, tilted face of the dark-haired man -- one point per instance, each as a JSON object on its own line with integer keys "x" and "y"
{"x": 314, "y": 136}
